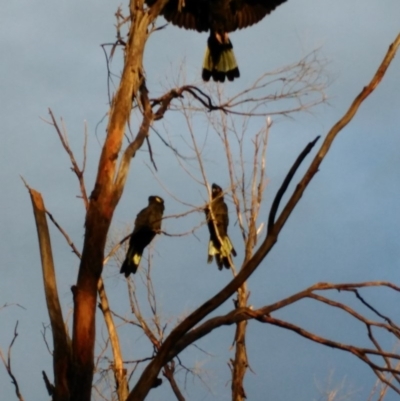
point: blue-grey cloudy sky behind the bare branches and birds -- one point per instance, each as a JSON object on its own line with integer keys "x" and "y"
{"x": 346, "y": 227}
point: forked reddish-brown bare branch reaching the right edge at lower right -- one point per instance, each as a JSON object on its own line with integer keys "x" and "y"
{"x": 264, "y": 315}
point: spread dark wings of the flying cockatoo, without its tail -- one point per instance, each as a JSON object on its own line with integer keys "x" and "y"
{"x": 201, "y": 15}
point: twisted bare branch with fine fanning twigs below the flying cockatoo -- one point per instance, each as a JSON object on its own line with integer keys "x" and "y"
{"x": 296, "y": 82}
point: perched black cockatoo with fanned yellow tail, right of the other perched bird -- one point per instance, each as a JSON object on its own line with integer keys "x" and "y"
{"x": 220, "y": 245}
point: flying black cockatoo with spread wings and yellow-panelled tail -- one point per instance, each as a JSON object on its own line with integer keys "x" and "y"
{"x": 219, "y": 17}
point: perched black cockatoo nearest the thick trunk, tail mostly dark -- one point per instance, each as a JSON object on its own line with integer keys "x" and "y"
{"x": 147, "y": 225}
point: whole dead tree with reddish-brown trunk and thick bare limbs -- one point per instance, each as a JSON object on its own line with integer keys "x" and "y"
{"x": 74, "y": 360}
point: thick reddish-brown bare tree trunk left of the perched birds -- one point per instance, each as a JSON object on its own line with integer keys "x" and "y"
{"x": 103, "y": 201}
